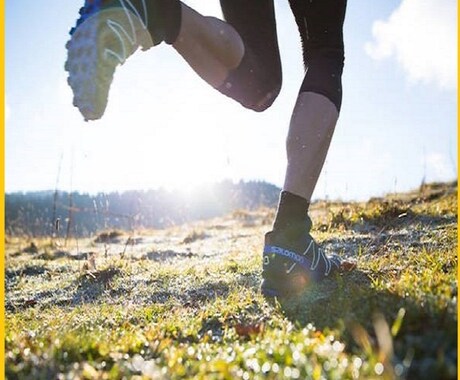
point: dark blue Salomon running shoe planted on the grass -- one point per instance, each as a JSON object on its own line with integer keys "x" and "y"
{"x": 291, "y": 261}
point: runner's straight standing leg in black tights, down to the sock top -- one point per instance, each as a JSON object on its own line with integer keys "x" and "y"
{"x": 318, "y": 105}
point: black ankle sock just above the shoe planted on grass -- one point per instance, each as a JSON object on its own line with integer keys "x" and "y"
{"x": 292, "y": 214}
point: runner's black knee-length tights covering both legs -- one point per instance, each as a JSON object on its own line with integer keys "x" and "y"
{"x": 320, "y": 25}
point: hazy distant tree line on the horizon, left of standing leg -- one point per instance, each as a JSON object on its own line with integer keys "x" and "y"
{"x": 56, "y": 213}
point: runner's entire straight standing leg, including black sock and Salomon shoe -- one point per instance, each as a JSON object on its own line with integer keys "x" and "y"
{"x": 291, "y": 258}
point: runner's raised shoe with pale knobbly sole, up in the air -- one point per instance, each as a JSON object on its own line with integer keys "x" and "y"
{"x": 106, "y": 34}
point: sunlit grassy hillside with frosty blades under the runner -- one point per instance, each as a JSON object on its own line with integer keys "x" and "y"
{"x": 184, "y": 302}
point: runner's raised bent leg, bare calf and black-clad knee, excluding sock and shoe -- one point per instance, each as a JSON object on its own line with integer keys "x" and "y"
{"x": 239, "y": 57}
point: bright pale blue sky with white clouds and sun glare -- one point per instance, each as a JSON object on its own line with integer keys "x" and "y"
{"x": 165, "y": 127}
